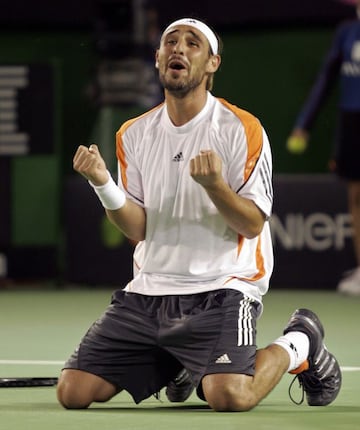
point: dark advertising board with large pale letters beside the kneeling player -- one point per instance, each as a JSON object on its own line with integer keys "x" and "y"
{"x": 311, "y": 230}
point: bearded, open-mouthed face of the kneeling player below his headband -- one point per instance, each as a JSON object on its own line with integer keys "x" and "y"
{"x": 183, "y": 60}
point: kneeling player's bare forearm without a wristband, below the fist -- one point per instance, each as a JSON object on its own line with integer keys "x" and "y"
{"x": 241, "y": 214}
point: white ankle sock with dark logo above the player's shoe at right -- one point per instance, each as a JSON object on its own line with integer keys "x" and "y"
{"x": 297, "y": 345}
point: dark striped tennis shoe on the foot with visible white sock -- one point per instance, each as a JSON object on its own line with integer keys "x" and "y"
{"x": 320, "y": 375}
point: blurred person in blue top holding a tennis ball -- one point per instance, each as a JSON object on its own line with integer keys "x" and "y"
{"x": 342, "y": 61}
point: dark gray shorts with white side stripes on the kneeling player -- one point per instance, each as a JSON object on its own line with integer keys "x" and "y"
{"x": 141, "y": 342}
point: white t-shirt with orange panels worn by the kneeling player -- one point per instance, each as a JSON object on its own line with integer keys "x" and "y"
{"x": 189, "y": 248}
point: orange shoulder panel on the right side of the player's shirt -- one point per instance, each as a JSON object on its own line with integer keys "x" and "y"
{"x": 254, "y": 136}
